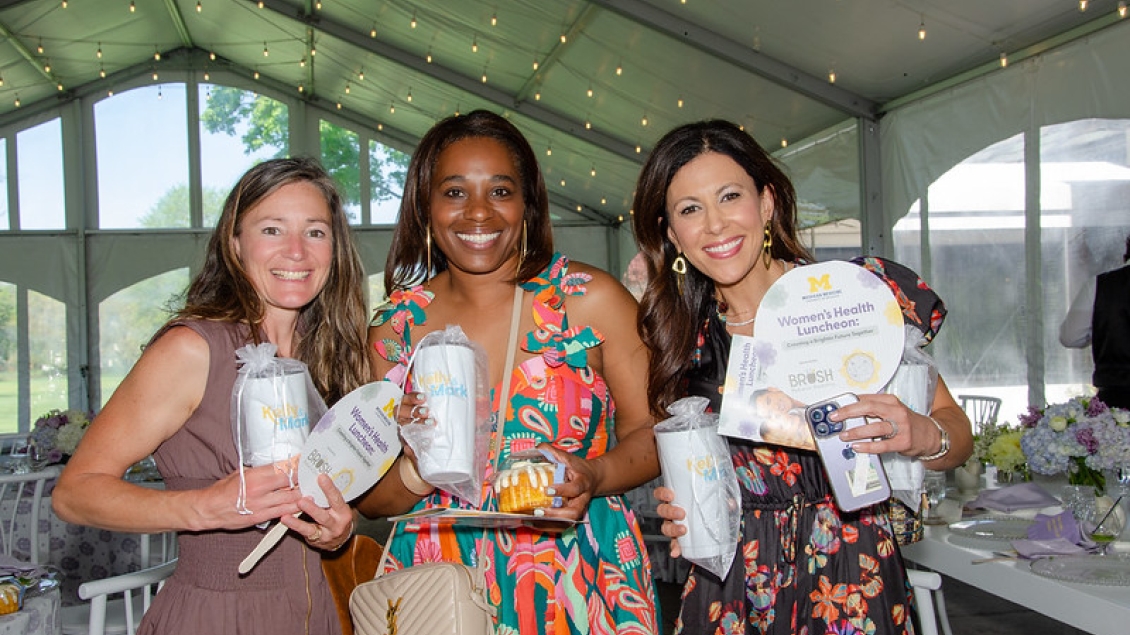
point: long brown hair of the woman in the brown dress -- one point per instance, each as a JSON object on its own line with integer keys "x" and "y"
{"x": 333, "y": 328}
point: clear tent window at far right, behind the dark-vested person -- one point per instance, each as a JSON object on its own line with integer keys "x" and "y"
{"x": 1085, "y": 181}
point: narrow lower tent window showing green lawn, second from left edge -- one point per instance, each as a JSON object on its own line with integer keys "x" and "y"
{"x": 47, "y": 333}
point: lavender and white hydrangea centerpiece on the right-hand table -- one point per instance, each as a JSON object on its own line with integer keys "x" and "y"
{"x": 1082, "y": 438}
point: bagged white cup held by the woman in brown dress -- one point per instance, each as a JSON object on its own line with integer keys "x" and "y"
{"x": 276, "y": 415}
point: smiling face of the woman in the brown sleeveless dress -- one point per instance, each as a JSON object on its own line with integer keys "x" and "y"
{"x": 285, "y": 245}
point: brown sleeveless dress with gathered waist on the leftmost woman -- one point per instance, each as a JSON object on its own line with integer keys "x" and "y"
{"x": 286, "y": 594}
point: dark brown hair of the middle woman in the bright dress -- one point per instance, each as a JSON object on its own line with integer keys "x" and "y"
{"x": 408, "y": 254}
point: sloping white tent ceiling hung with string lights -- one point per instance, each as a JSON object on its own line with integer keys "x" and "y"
{"x": 764, "y": 64}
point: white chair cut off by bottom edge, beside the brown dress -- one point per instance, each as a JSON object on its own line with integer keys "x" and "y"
{"x": 119, "y": 616}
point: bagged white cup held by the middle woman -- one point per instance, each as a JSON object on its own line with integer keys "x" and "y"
{"x": 446, "y": 375}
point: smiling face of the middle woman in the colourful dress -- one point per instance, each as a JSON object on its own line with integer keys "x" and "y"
{"x": 477, "y": 206}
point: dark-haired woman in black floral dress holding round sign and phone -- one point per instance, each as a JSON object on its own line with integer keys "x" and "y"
{"x": 716, "y": 221}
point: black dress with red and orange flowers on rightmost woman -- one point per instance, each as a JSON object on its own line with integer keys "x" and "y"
{"x": 803, "y": 566}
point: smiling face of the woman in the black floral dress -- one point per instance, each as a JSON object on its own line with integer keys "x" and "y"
{"x": 717, "y": 219}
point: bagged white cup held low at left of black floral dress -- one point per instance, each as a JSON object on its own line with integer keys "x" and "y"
{"x": 692, "y": 462}
